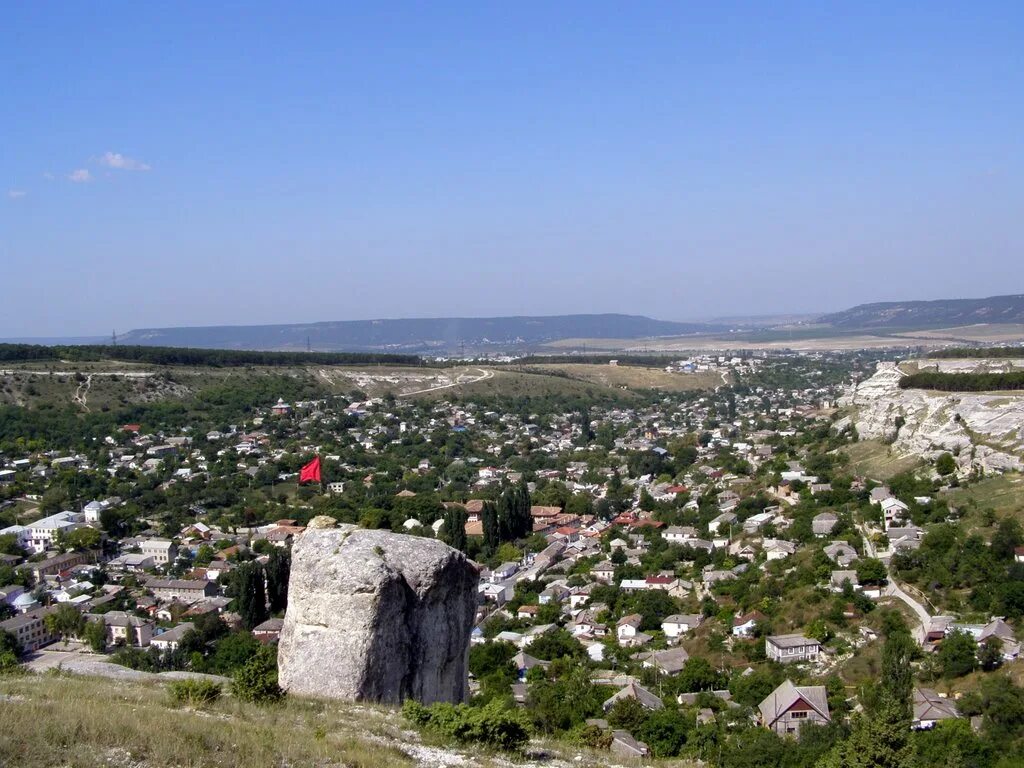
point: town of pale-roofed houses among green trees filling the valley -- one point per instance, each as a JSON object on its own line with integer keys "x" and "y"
{"x": 662, "y": 574}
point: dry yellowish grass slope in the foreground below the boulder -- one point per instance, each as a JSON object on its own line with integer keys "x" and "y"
{"x": 91, "y": 722}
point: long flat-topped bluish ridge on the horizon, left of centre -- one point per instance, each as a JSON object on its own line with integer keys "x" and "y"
{"x": 417, "y": 335}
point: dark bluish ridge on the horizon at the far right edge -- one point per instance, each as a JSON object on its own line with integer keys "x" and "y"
{"x": 925, "y": 315}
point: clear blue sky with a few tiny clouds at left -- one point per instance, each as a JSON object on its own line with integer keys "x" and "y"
{"x": 191, "y": 164}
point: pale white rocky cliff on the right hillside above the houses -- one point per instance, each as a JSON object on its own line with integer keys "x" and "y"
{"x": 983, "y": 432}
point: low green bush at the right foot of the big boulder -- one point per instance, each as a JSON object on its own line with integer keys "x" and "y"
{"x": 495, "y": 726}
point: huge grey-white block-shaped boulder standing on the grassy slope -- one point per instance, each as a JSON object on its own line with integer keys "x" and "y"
{"x": 379, "y": 617}
